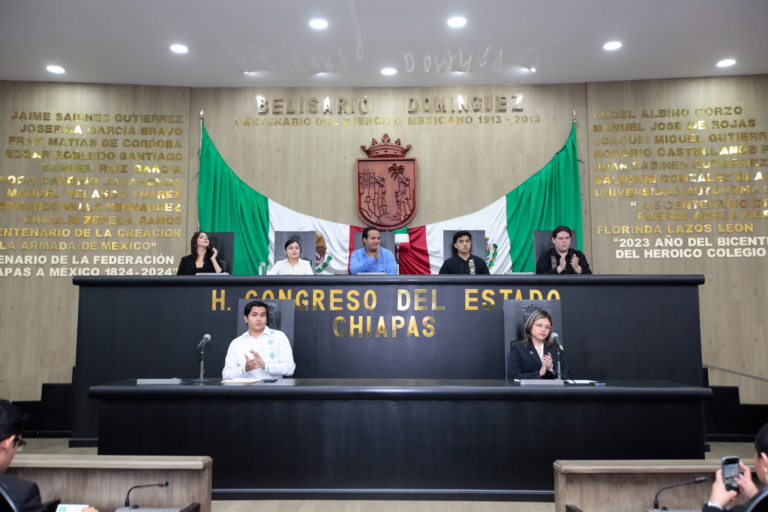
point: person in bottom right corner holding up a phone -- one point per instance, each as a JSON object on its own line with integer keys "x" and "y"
{"x": 720, "y": 496}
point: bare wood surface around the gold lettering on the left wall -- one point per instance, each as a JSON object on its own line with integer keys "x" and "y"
{"x": 38, "y": 316}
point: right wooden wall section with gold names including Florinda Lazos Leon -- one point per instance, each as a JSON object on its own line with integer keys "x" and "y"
{"x": 733, "y": 322}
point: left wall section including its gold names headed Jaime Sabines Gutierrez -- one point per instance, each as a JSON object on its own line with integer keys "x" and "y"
{"x": 93, "y": 181}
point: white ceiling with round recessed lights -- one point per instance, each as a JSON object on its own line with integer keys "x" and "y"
{"x": 127, "y": 41}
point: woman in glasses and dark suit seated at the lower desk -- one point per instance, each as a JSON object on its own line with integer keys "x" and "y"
{"x": 535, "y": 357}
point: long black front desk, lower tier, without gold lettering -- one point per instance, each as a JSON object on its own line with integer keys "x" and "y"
{"x": 400, "y": 438}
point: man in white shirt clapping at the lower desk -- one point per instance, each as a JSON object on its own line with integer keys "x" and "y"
{"x": 260, "y": 353}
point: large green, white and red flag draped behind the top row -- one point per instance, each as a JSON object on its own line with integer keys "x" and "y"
{"x": 548, "y": 198}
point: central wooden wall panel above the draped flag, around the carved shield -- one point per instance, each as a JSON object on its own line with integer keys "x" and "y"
{"x": 462, "y": 168}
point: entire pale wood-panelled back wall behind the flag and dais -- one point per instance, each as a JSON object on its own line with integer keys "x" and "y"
{"x": 462, "y": 168}
